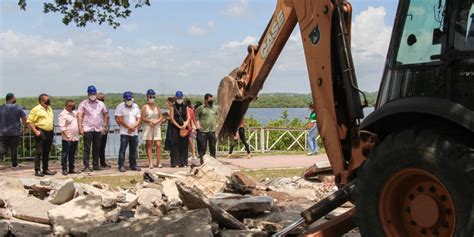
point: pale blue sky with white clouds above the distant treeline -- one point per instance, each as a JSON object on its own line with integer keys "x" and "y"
{"x": 172, "y": 45}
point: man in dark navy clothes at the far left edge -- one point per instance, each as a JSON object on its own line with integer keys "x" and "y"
{"x": 10, "y": 127}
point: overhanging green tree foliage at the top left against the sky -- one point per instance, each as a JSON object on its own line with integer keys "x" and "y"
{"x": 83, "y": 12}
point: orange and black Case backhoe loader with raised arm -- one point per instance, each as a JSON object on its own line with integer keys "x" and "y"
{"x": 409, "y": 166}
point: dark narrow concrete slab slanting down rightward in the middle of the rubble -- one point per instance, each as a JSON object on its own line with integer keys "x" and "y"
{"x": 194, "y": 198}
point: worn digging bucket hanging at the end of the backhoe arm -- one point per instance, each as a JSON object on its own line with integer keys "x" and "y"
{"x": 232, "y": 107}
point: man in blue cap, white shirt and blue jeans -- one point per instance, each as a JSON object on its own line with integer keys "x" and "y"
{"x": 127, "y": 115}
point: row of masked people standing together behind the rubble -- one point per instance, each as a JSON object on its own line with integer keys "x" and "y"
{"x": 187, "y": 126}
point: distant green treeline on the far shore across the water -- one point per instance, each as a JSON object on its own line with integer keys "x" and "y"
{"x": 268, "y": 100}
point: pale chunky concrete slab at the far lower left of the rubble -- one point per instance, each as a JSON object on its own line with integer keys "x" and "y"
{"x": 31, "y": 209}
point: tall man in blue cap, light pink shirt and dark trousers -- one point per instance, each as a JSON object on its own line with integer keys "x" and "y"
{"x": 92, "y": 122}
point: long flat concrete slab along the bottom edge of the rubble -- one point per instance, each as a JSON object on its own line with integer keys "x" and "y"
{"x": 192, "y": 223}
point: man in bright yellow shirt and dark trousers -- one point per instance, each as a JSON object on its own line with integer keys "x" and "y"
{"x": 41, "y": 122}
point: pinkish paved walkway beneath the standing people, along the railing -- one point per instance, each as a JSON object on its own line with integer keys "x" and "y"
{"x": 256, "y": 162}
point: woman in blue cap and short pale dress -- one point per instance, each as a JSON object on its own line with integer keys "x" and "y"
{"x": 152, "y": 118}
